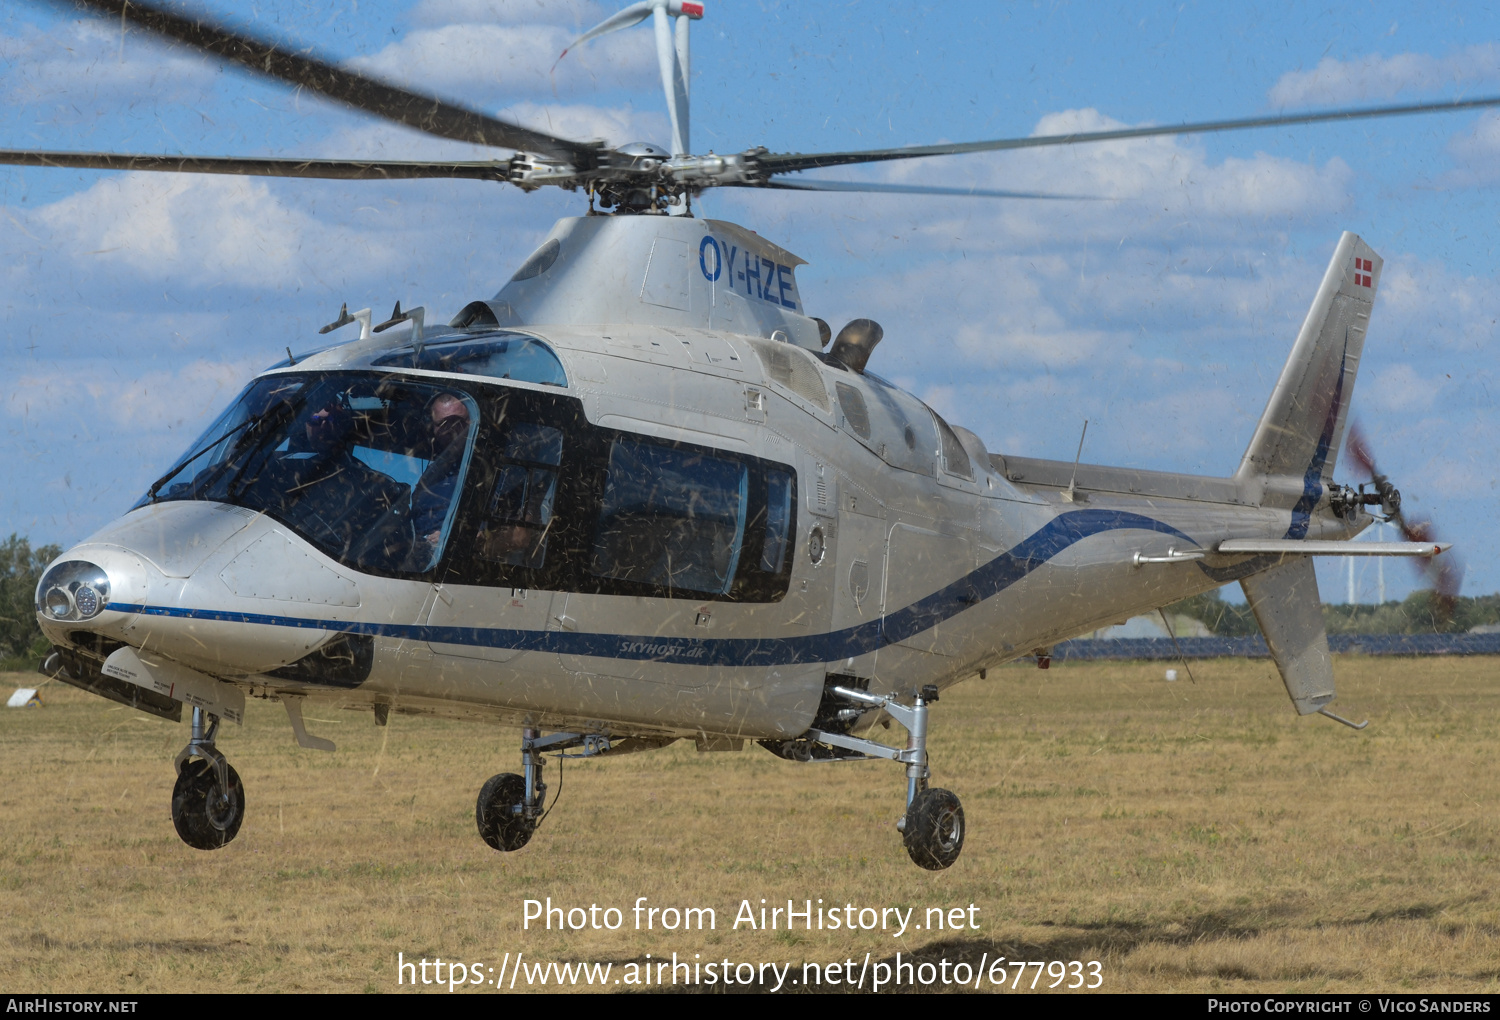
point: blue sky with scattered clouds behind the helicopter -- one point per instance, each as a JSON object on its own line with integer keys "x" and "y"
{"x": 134, "y": 307}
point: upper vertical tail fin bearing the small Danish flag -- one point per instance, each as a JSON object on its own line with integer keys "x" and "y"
{"x": 1297, "y": 443}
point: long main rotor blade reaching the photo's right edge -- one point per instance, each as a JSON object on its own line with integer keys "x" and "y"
{"x": 788, "y": 163}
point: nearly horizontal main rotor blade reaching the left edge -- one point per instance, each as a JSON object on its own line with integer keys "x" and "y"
{"x": 265, "y": 166}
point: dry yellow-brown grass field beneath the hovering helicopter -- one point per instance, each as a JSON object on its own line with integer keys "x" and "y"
{"x": 1189, "y": 838}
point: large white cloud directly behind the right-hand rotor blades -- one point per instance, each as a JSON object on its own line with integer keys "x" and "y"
{"x": 1151, "y": 191}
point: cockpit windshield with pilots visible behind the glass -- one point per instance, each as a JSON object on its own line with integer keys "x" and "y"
{"x": 367, "y": 467}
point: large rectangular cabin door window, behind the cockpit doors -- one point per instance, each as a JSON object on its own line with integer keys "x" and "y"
{"x": 671, "y": 518}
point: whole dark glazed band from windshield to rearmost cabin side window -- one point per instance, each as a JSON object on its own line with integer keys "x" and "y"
{"x": 395, "y": 475}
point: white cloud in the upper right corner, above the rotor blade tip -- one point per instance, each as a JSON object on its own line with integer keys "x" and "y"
{"x": 1376, "y": 77}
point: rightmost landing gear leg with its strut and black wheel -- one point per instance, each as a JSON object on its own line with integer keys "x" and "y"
{"x": 932, "y": 826}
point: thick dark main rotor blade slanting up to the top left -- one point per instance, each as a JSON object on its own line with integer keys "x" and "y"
{"x": 401, "y": 106}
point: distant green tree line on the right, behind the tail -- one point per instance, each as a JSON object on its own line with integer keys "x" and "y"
{"x": 1417, "y": 614}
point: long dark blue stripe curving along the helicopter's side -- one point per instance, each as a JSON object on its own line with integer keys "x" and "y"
{"x": 923, "y": 616}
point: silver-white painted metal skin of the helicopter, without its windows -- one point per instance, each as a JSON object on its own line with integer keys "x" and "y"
{"x": 940, "y": 559}
